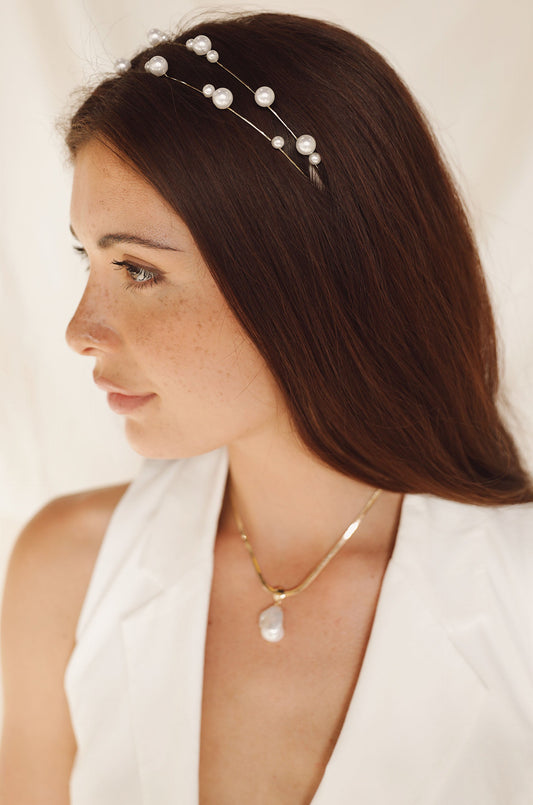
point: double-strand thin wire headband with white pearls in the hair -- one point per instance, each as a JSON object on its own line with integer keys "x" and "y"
{"x": 223, "y": 97}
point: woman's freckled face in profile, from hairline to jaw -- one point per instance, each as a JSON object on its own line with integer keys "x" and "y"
{"x": 168, "y": 350}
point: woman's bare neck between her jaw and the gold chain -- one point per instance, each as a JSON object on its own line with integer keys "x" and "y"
{"x": 294, "y": 507}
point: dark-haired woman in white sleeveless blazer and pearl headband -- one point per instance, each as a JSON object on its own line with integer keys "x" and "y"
{"x": 317, "y": 588}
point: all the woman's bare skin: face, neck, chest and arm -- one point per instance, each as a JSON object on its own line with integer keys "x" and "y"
{"x": 205, "y": 385}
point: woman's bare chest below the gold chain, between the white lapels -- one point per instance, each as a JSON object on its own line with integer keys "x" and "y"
{"x": 272, "y": 712}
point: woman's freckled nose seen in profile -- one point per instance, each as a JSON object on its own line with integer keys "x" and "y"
{"x": 90, "y": 331}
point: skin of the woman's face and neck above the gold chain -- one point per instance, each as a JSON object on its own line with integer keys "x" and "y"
{"x": 178, "y": 341}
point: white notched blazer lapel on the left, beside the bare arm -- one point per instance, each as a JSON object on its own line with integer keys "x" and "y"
{"x": 164, "y": 638}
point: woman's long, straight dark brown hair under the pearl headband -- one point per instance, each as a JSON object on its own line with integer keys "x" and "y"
{"x": 365, "y": 296}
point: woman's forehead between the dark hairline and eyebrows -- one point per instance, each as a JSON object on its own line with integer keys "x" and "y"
{"x": 107, "y": 191}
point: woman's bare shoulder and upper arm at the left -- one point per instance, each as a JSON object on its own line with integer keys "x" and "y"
{"x": 47, "y": 578}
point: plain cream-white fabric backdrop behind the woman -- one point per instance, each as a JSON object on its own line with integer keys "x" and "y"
{"x": 470, "y": 64}
